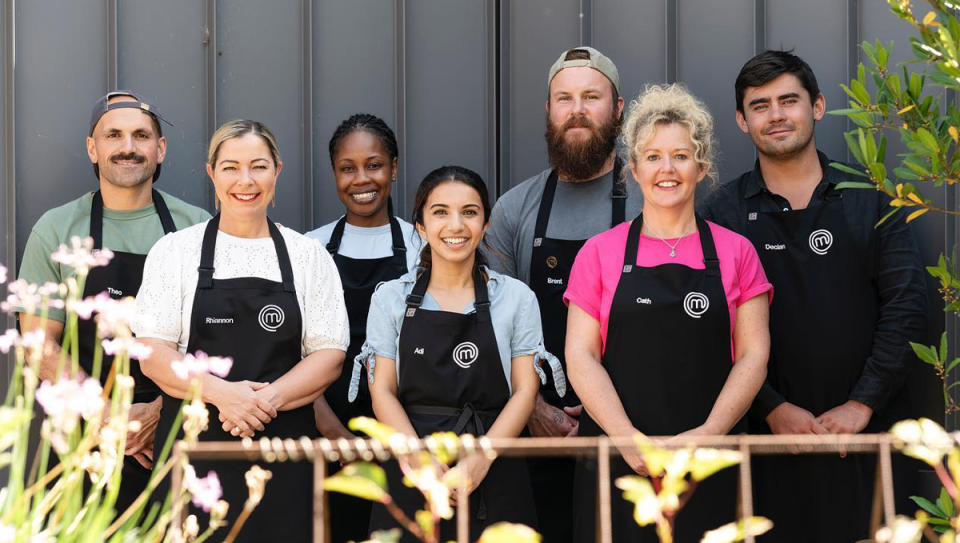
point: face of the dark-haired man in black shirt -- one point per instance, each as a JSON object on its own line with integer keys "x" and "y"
{"x": 780, "y": 117}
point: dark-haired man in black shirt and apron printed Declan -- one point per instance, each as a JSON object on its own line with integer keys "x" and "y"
{"x": 849, "y": 298}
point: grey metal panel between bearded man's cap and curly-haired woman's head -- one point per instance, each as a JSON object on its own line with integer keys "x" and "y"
{"x": 632, "y": 34}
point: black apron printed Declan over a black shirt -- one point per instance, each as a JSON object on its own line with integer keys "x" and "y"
{"x": 821, "y": 330}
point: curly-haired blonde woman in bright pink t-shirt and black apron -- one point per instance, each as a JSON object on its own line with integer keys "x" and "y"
{"x": 667, "y": 331}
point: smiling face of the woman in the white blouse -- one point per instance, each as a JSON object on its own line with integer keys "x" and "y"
{"x": 244, "y": 177}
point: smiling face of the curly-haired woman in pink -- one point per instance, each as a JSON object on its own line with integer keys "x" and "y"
{"x": 666, "y": 169}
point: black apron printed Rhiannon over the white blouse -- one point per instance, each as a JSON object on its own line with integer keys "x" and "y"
{"x": 258, "y": 323}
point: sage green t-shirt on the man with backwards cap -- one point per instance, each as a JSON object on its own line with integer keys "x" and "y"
{"x": 132, "y": 231}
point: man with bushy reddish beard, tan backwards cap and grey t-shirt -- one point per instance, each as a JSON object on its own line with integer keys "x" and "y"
{"x": 537, "y": 228}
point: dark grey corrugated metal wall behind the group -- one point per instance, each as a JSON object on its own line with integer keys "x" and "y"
{"x": 460, "y": 81}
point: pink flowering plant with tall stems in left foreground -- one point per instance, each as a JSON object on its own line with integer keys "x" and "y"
{"x": 68, "y": 490}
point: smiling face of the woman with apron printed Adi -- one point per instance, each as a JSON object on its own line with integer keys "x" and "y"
{"x": 453, "y": 222}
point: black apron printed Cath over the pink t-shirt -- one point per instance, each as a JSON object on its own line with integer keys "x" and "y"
{"x": 667, "y": 323}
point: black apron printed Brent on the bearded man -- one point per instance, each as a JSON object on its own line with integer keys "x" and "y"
{"x": 550, "y": 265}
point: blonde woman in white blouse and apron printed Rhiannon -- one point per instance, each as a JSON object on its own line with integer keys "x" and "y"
{"x": 241, "y": 286}
